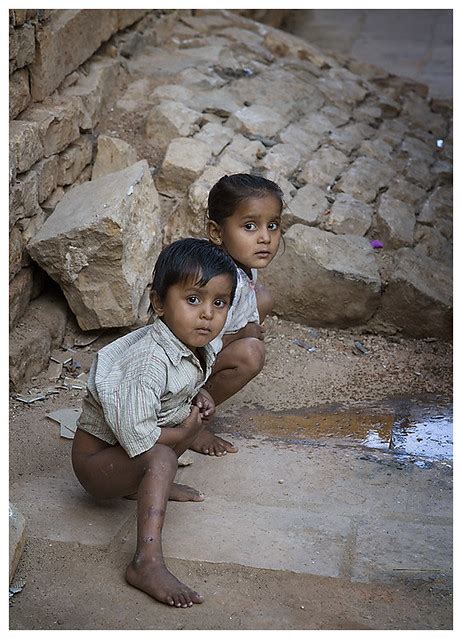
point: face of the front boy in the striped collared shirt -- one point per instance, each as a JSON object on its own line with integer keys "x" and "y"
{"x": 195, "y": 314}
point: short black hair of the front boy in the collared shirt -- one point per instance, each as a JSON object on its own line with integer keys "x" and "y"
{"x": 191, "y": 259}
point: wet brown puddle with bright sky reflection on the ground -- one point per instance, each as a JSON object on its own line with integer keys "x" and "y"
{"x": 410, "y": 428}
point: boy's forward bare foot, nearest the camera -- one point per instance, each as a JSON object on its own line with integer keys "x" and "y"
{"x": 158, "y": 582}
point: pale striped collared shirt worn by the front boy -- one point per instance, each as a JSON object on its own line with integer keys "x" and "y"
{"x": 139, "y": 383}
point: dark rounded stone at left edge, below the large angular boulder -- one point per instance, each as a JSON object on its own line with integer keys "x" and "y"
{"x": 30, "y": 349}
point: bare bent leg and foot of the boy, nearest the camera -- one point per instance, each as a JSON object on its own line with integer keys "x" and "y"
{"x": 107, "y": 472}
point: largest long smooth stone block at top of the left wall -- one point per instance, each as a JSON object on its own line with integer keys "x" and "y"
{"x": 69, "y": 38}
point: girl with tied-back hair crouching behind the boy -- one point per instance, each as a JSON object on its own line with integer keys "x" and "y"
{"x": 245, "y": 219}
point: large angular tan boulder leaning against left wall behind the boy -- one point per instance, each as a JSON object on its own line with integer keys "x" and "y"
{"x": 100, "y": 245}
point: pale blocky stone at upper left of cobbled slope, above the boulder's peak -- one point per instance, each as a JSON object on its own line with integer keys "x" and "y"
{"x": 169, "y": 120}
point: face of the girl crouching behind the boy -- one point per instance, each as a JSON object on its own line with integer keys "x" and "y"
{"x": 252, "y": 233}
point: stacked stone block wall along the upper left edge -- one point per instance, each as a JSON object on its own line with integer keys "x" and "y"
{"x": 63, "y": 69}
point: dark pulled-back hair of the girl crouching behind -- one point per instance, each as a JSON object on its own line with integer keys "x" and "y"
{"x": 226, "y": 195}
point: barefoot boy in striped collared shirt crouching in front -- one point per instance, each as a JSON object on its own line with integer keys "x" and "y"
{"x": 144, "y": 406}
